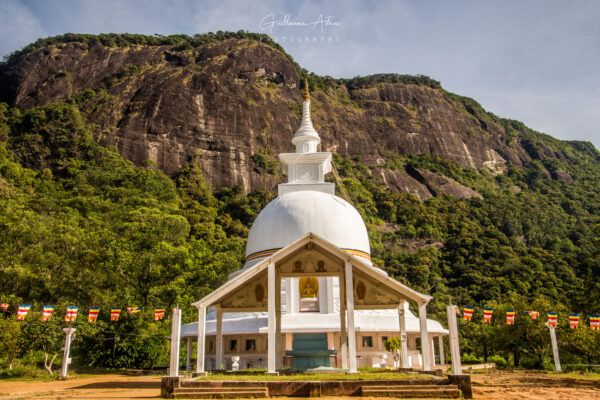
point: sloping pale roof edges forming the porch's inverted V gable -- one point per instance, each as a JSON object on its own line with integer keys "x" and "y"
{"x": 255, "y": 270}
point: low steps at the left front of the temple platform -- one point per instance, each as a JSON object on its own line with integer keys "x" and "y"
{"x": 226, "y": 390}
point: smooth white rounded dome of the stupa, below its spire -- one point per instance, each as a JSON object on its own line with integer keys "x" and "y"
{"x": 292, "y": 215}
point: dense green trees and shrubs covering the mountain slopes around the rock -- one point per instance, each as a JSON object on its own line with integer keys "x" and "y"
{"x": 80, "y": 225}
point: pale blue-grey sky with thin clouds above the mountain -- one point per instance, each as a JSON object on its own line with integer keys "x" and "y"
{"x": 535, "y": 61}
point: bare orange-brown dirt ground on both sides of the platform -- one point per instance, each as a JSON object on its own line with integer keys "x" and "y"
{"x": 499, "y": 385}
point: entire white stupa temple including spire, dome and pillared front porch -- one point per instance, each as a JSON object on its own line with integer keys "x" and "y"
{"x": 308, "y": 294}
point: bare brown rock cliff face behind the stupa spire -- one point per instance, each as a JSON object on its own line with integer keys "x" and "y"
{"x": 236, "y": 103}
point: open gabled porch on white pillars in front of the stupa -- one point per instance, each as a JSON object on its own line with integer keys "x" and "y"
{"x": 308, "y": 268}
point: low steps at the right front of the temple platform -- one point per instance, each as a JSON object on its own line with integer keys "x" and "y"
{"x": 412, "y": 391}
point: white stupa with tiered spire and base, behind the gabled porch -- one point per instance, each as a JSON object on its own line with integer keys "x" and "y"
{"x": 307, "y": 206}
